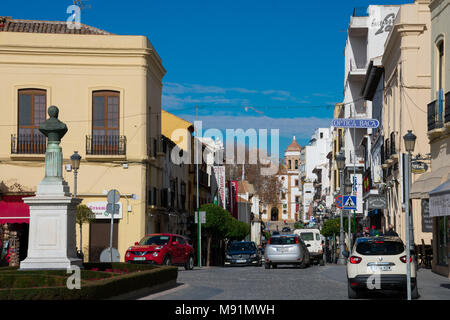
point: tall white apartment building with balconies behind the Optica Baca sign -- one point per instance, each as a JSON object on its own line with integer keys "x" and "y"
{"x": 366, "y": 35}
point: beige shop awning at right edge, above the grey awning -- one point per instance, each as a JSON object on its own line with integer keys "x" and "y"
{"x": 429, "y": 181}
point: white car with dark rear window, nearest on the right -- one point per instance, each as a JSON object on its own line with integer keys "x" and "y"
{"x": 378, "y": 263}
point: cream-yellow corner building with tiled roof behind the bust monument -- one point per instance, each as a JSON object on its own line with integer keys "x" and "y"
{"x": 108, "y": 90}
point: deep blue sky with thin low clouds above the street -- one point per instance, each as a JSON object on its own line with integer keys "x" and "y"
{"x": 265, "y": 64}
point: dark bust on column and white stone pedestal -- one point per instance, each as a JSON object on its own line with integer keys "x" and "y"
{"x": 51, "y": 241}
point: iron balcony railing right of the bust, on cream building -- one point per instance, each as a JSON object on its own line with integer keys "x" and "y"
{"x": 106, "y": 145}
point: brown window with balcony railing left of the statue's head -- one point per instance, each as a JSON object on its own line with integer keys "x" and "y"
{"x": 32, "y": 106}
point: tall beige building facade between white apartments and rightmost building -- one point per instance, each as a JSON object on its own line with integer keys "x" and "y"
{"x": 406, "y": 94}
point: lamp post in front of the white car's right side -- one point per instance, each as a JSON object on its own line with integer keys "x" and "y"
{"x": 410, "y": 141}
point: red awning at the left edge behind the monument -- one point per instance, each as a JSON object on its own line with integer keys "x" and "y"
{"x": 14, "y": 210}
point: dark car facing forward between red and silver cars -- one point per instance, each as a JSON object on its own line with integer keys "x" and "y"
{"x": 243, "y": 253}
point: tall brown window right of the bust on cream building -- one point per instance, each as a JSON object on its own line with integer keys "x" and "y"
{"x": 105, "y": 121}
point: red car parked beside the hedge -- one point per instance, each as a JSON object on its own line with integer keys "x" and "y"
{"x": 163, "y": 249}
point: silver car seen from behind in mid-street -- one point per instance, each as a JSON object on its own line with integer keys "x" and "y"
{"x": 286, "y": 249}
